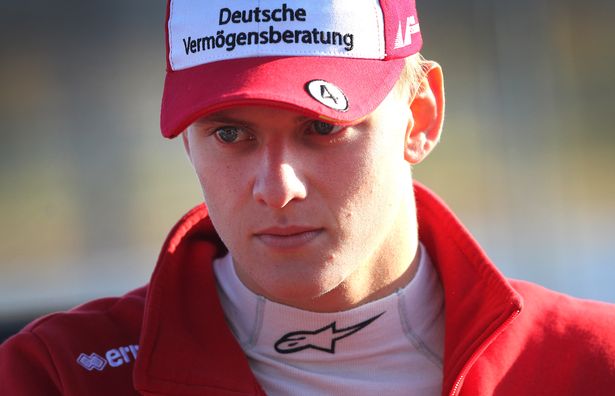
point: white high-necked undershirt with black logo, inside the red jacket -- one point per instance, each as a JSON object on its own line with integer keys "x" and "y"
{"x": 397, "y": 353}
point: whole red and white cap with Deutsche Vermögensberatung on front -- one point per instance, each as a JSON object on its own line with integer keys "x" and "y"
{"x": 335, "y": 60}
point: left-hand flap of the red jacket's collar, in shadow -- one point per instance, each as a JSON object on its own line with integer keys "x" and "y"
{"x": 185, "y": 346}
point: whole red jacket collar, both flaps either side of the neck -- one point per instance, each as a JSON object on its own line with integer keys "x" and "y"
{"x": 186, "y": 348}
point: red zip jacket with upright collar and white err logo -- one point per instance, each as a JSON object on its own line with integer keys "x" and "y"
{"x": 503, "y": 337}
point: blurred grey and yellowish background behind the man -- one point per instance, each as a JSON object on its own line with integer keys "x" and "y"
{"x": 89, "y": 189}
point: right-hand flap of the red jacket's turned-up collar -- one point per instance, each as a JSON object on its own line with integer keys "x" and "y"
{"x": 478, "y": 300}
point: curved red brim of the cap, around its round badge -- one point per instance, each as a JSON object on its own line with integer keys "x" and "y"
{"x": 275, "y": 81}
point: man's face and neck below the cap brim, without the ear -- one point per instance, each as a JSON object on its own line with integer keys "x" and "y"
{"x": 315, "y": 216}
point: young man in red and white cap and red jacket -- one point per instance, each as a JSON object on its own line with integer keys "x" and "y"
{"x": 316, "y": 266}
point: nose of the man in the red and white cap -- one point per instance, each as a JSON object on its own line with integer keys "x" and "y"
{"x": 278, "y": 182}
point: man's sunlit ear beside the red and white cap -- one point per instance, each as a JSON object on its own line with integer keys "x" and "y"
{"x": 427, "y": 108}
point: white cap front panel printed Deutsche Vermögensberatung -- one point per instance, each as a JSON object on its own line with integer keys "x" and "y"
{"x": 207, "y": 31}
